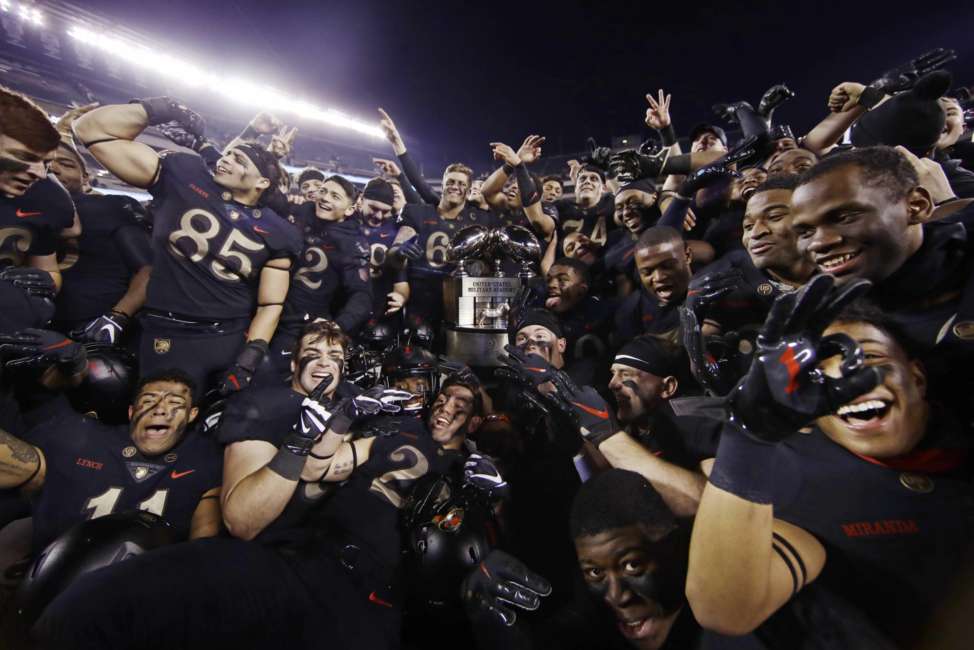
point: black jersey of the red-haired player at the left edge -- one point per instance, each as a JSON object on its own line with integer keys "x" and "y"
{"x": 30, "y": 224}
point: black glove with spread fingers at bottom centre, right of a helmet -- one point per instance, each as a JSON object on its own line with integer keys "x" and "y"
{"x": 499, "y": 583}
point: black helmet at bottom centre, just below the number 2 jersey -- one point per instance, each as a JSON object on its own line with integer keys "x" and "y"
{"x": 449, "y": 532}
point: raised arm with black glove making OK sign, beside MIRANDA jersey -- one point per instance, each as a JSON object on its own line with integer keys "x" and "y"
{"x": 744, "y": 564}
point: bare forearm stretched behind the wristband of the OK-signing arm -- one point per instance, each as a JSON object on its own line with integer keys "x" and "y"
{"x": 680, "y": 488}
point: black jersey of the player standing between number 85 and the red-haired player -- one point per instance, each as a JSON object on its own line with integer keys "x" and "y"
{"x": 113, "y": 246}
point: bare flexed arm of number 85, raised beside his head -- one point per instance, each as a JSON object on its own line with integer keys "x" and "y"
{"x": 109, "y": 133}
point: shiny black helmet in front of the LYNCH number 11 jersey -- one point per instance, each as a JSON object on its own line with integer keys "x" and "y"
{"x": 88, "y": 546}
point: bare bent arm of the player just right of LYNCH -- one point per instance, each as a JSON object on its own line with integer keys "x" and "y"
{"x": 252, "y": 495}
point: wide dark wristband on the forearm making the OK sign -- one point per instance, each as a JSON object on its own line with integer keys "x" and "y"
{"x": 744, "y": 467}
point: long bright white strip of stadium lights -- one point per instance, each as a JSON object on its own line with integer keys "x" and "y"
{"x": 239, "y": 90}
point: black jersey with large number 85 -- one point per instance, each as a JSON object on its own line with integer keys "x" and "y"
{"x": 208, "y": 250}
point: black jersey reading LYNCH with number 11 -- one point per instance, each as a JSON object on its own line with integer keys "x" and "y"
{"x": 93, "y": 470}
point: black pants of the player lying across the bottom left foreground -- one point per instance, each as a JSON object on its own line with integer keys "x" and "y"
{"x": 222, "y": 593}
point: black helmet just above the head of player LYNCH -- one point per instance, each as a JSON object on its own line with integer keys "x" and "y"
{"x": 107, "y": 388}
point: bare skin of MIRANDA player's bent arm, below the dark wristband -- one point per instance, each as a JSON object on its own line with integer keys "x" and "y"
{"x": 736, "y": 579}
